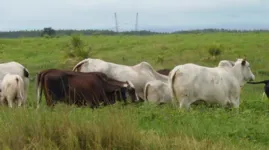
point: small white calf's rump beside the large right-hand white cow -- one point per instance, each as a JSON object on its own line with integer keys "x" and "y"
{"x": 158, "y": 92}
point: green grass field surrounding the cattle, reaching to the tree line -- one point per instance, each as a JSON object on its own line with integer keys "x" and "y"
{"x": 143, "y": 125}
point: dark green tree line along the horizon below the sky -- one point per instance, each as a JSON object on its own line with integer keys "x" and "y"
{"x": 50, "y": 32}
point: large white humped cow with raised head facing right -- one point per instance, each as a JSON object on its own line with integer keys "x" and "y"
{"x": 191, "y": 82}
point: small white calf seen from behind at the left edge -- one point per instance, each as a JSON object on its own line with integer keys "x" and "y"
{"x": 12, "y": 90}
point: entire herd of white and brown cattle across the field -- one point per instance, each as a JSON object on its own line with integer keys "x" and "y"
{"x": 94, "y": 81}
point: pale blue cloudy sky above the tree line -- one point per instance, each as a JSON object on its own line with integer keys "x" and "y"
{"x": 155, "y": 15}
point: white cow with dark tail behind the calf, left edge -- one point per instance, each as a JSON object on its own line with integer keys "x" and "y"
{"x": 15, "y": 68}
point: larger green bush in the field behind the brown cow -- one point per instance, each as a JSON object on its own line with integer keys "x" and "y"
{"x": 76, "y": 48}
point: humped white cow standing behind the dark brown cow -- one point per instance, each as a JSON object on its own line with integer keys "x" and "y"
{"x": 138, "y": 74}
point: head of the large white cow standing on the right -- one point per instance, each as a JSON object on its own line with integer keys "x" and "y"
{"x": 245, "y": 70}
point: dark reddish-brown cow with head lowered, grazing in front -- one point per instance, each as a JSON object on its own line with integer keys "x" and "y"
{"x": 78, "y": 88}
